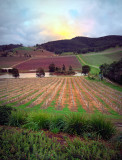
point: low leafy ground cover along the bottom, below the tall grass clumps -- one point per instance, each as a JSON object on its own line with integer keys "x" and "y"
{"x": 26, "y": 145}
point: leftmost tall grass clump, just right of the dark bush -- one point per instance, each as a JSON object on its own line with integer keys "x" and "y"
{"x": 18, "y": 118}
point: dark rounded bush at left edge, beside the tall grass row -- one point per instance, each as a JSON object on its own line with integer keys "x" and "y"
{"x": 5, "y": 112}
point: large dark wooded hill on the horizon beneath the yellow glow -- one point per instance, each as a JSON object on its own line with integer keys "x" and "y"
{"x": 83, "y": 44}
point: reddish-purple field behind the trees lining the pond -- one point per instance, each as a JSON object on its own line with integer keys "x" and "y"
{"x": 34, "y": 64}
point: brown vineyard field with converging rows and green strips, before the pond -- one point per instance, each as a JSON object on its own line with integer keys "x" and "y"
{"x": 61, "y": 94}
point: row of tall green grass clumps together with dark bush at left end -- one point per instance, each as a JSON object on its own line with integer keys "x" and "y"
{"x": 73, "y": 123}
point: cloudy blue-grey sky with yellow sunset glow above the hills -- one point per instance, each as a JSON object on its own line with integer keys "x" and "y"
{"x": 32, "y": 22}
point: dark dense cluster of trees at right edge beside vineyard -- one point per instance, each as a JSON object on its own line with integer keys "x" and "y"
{"x": 112, "y": 71}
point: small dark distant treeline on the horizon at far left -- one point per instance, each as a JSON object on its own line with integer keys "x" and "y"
{"x": 9, "y": 47}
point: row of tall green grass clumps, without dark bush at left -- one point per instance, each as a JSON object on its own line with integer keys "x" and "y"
{"x": 72, "y": 123}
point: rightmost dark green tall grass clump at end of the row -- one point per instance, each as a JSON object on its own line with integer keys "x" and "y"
{"x": 102, "y": 126}
